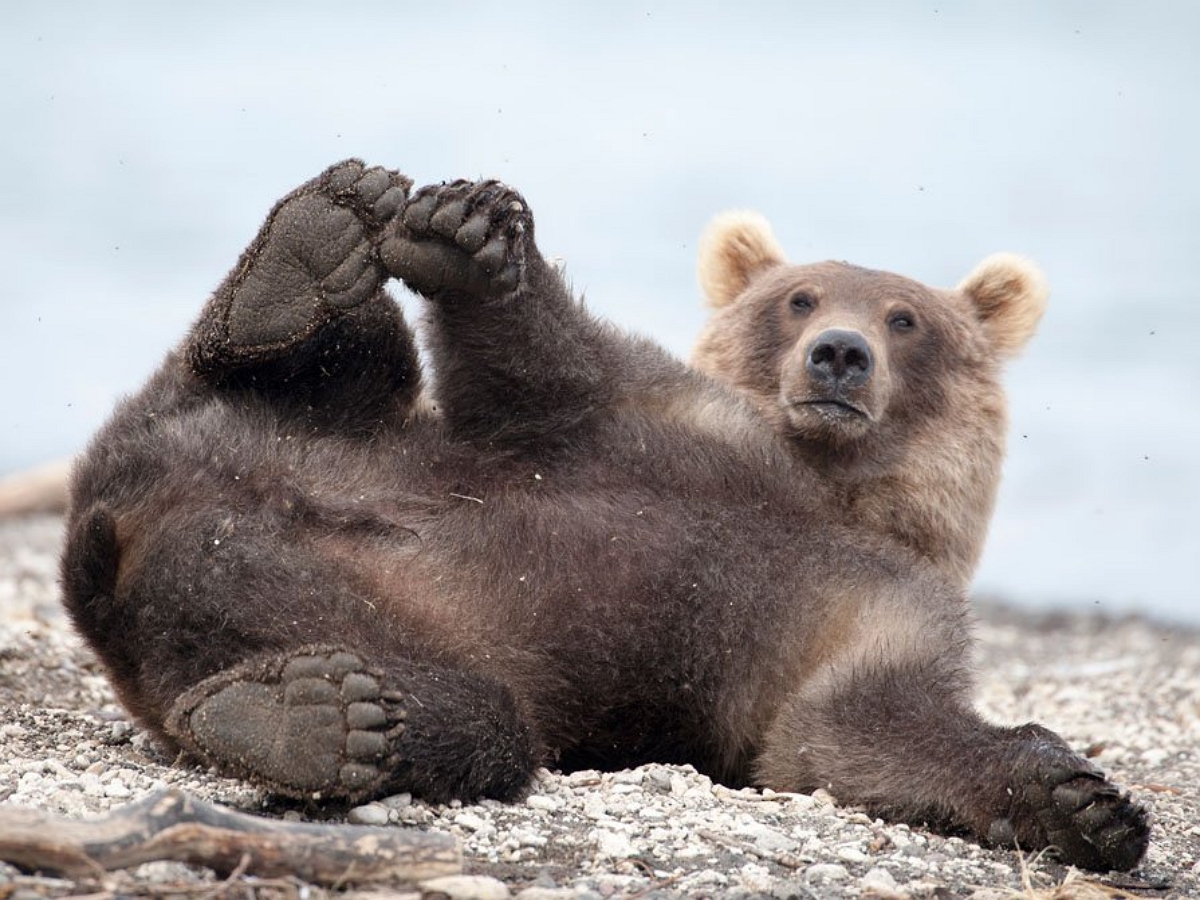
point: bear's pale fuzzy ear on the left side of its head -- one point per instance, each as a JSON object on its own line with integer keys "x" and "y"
{"x": 735, "y": 248}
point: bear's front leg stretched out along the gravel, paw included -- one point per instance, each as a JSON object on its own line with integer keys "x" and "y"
{"x": 896, "y": 740}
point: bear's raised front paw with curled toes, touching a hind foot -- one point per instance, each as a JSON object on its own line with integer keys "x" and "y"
{"x": 464, "y": 237}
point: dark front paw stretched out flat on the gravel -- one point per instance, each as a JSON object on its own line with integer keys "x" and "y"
{"x": 1063, "y": 801}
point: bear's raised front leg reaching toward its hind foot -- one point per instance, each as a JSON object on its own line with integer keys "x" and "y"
{"x": 515, "y": 355}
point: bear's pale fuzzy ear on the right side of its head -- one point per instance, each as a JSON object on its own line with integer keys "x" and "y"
{"x": 1010, "y": 295}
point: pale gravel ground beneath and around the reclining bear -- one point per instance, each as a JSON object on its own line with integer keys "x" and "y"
{"x": 1127, "y": 691}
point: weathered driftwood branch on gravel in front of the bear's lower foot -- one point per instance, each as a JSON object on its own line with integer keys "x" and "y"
{"x": 170, "y": 825}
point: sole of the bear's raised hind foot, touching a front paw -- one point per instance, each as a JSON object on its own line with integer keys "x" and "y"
{"x": 314, "y": 260}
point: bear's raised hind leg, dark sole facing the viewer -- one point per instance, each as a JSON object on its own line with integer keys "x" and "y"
{"x": 304, "y": 320}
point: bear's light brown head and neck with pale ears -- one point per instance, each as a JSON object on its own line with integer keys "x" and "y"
{"x": 889, "y": 388}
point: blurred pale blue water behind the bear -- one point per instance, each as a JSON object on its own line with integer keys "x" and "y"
{"x": 143, "y": 143}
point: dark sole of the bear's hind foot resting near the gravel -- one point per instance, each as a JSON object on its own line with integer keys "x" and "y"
{"x": 316, "y": 722}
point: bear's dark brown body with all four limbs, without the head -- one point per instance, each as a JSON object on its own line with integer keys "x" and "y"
{"x": 593, "y": 556}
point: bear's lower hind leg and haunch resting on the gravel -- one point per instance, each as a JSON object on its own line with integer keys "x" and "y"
{"x": 211, "y": 626}
